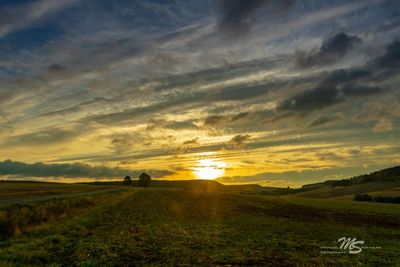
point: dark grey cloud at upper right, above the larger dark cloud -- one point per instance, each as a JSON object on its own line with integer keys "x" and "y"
{"x": 331, "y": 50}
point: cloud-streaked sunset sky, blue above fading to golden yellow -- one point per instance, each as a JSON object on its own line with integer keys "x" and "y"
{"x": 279, "y": 93}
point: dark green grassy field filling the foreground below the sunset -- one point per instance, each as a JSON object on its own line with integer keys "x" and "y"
{"x": 177, "y": 227}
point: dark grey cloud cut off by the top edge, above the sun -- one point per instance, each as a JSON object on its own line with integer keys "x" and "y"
{"x": 238, "y": 15}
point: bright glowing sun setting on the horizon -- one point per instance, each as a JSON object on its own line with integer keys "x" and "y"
{"x": 209, "y": 169}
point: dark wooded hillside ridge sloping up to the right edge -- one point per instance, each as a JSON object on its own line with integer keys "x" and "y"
{"x": 390, "y": 174}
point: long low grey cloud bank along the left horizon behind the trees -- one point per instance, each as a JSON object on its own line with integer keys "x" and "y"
{"x": 76, "y": 170}
